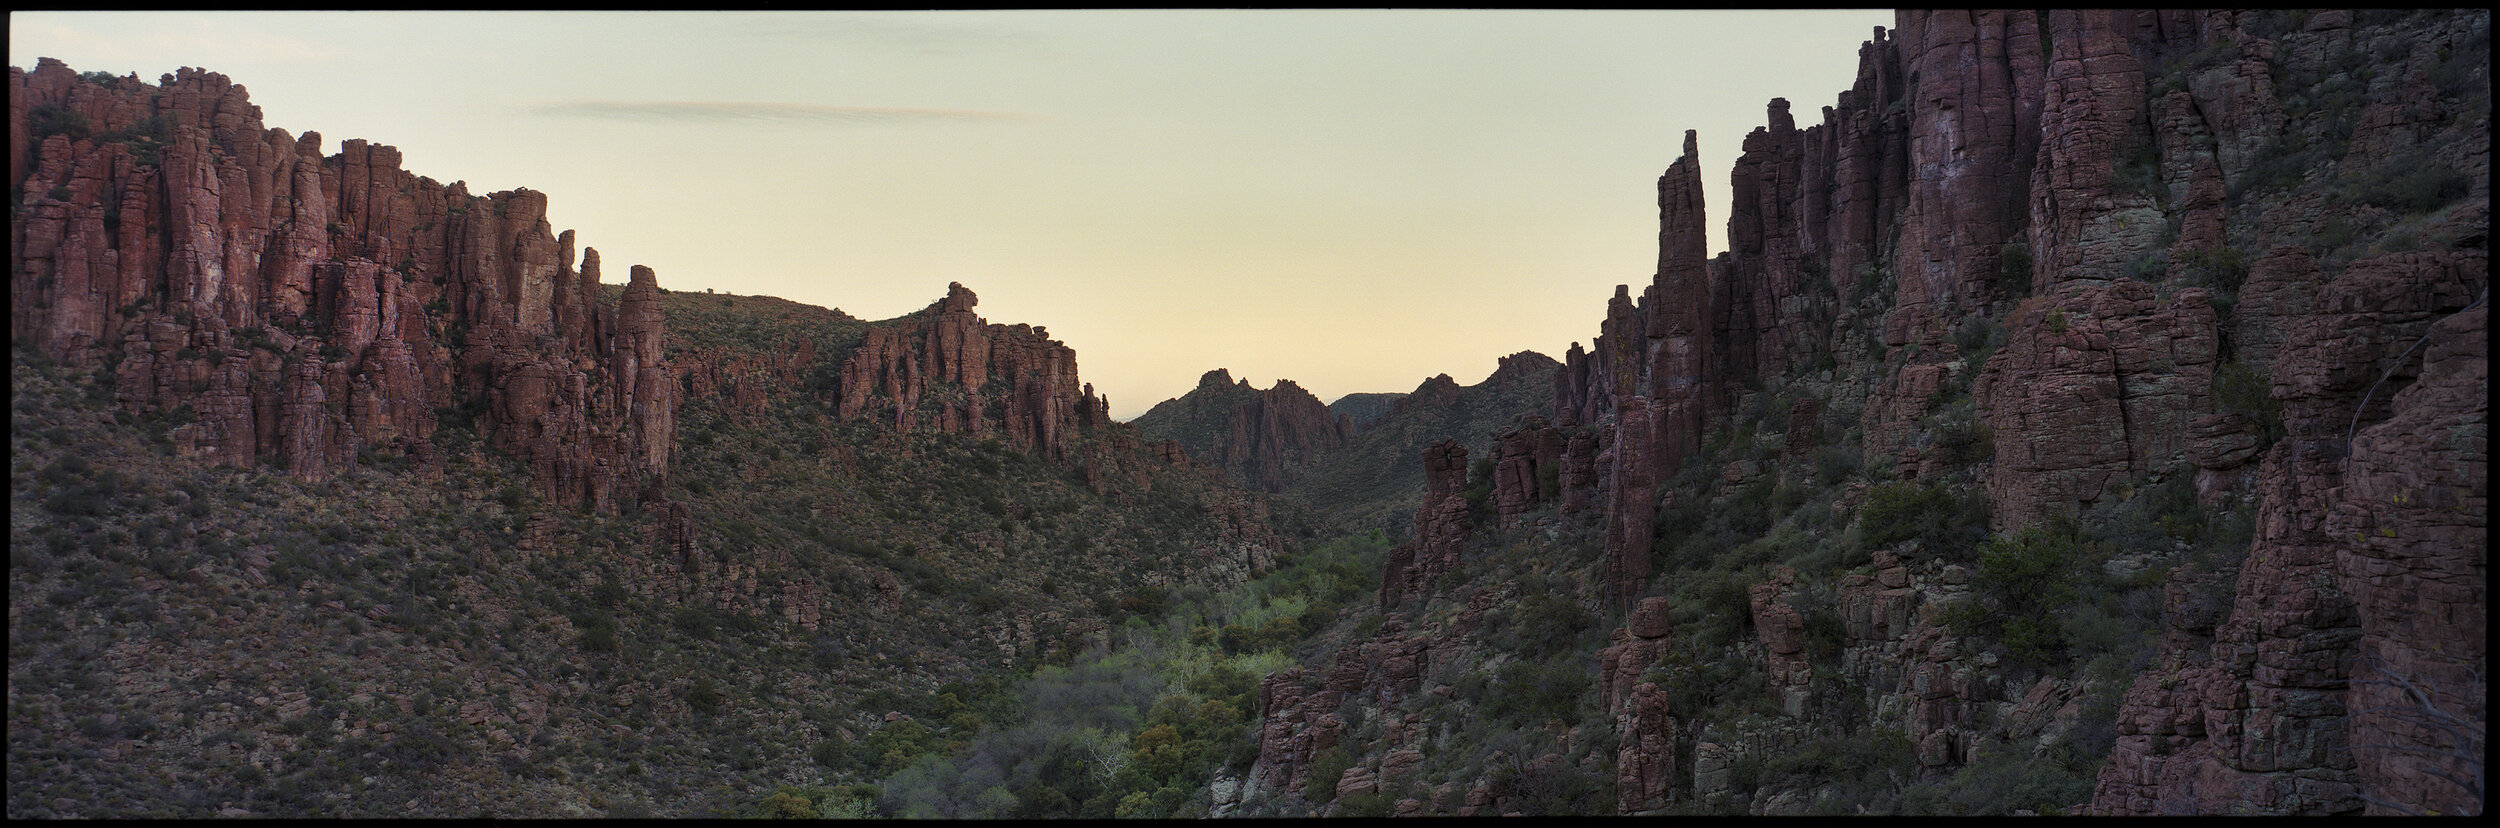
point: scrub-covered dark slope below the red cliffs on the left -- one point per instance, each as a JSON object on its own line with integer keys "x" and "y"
{"x": 196, "y": 642}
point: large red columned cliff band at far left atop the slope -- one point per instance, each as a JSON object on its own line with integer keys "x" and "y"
{"x": 309, "y": 311}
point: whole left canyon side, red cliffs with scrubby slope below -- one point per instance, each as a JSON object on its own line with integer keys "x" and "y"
{"x": 406, "y": 532}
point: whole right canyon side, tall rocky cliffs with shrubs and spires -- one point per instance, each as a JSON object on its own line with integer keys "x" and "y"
{"x": 2046, "y": 274}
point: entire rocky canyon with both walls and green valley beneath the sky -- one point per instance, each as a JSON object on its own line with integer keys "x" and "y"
{"x": 2086, "y": 417}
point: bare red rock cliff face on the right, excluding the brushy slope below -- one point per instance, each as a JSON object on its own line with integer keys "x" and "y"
{"x": 2089, "y": 181}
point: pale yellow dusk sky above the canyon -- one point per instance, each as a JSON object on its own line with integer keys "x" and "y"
{"x": 1346, "y": 199}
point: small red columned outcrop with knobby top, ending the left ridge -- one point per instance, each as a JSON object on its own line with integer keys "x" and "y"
{"x": 949, "y": 371}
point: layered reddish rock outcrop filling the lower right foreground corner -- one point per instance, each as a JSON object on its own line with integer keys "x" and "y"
{"x": 2299, "y": 702}
